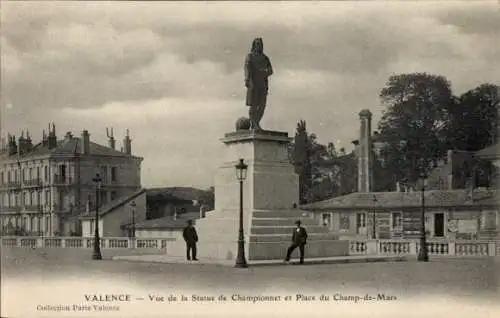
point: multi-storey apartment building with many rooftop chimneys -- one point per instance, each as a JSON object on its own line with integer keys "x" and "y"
{"x": 45, "y": 186}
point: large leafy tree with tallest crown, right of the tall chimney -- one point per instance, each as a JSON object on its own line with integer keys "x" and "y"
{"x": 415, "y": 124}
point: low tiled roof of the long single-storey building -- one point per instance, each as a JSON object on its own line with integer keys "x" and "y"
{"x": 433, "y": 198}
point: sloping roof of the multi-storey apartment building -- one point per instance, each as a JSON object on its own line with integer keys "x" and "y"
{"x": 67, "y": 146}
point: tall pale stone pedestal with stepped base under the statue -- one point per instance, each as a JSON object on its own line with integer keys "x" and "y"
{"x": 269, "y": 192}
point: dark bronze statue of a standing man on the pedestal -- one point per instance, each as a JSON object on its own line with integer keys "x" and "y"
{"x": 257, "y": 70}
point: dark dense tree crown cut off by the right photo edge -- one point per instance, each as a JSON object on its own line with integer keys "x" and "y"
{"x": 474, "y": 119}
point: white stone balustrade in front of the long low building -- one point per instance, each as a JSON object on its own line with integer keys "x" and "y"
{"x": 401, "y": 247}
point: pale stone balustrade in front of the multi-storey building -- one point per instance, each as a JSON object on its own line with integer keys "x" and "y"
{"x": 84, "y": 242}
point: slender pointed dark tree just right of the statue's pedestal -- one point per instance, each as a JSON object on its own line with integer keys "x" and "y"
{"x": 301, "y": 154}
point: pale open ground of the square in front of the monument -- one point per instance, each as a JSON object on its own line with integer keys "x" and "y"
{"x": 471, "y": 278}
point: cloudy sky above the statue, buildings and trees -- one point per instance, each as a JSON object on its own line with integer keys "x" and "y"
{"x": 172, "y": 72}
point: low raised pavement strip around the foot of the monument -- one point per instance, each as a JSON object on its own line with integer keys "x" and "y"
{"x": 313, "y": 261}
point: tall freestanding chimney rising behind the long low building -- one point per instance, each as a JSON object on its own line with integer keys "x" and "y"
{"x": 365, "y": 154}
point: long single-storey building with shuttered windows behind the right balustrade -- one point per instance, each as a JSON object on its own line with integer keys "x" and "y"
{"x": 449, "y": 215}
